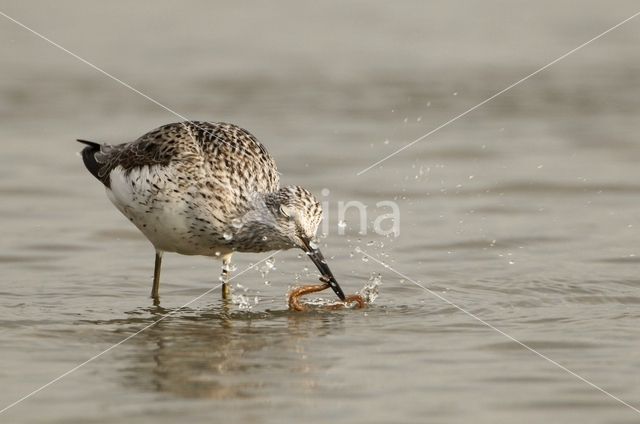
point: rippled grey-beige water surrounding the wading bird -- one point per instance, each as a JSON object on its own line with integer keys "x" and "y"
{"x": 524, "y": 213}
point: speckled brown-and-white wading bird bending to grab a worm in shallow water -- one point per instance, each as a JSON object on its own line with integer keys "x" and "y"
{"x": 210, "y": 189}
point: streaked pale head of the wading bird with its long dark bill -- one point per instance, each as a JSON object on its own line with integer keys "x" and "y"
{"x": 297, "y": 215}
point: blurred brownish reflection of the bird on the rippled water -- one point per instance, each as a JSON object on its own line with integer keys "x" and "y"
{"x": 221, "y": 353}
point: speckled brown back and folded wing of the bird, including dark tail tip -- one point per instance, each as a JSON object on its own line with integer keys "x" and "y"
{"x": 221, "y": 153}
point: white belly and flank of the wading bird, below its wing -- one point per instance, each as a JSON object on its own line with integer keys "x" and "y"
{"x": 146, "y": 196}
